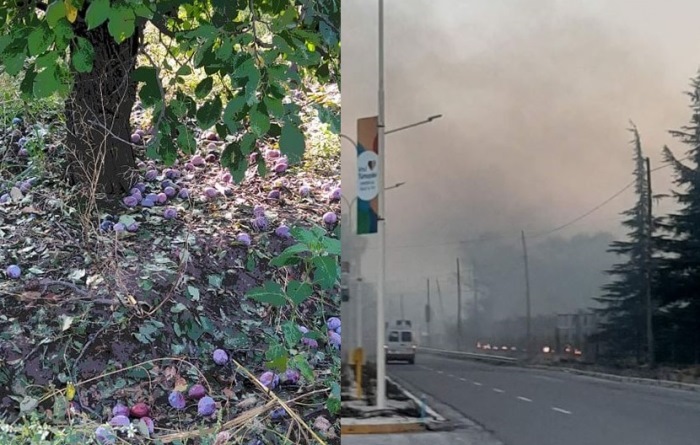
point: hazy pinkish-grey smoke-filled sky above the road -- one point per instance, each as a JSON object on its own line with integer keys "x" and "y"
{"x": 537, "y": 97}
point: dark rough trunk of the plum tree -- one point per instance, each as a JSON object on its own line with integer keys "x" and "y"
{"x": 98, "y": 115}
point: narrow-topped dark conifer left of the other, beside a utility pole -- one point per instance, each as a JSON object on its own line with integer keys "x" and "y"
{"x": 622, "y": 326}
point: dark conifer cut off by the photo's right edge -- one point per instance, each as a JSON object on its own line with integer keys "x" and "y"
{"x": 680, "y": 270}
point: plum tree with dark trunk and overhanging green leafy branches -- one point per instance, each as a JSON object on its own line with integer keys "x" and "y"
{"x": 258, "y": 51}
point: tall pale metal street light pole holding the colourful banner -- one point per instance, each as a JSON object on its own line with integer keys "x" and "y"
{"x": 381, "y": 357}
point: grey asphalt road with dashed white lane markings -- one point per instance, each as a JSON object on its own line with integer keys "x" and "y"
{"x": 539, "y": 407}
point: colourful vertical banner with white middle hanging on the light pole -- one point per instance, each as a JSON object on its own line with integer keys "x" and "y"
{"x": 367, "y": 175}
